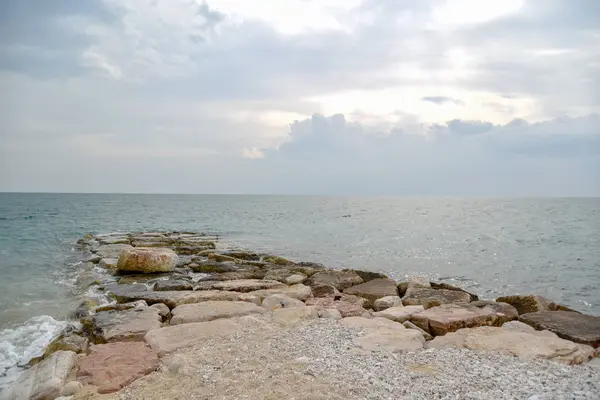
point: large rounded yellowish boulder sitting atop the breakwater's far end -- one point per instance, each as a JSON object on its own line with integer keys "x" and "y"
{"x": 147, "y": 260}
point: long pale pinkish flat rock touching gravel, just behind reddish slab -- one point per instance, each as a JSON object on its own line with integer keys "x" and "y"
{"x": 171, "y": 338}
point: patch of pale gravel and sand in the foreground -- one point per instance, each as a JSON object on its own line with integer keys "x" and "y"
{"x": 318, "y": 360}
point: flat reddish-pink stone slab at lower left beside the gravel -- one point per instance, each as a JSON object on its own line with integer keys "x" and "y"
{"x": 113, "y": 366}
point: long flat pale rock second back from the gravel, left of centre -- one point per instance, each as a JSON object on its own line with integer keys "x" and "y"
{"x": 211, "y": 310}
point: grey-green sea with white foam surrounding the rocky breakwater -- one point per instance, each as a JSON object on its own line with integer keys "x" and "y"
{"x": 490, "y": 246}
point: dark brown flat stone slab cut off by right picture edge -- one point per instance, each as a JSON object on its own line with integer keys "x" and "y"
{"x": 579, "y": 328}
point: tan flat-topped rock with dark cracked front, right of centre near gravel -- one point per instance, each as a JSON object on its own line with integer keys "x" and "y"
{"x": 452, "y": 317}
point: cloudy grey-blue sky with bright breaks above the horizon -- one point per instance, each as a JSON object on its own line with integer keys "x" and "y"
{"x": 333, "y": 97}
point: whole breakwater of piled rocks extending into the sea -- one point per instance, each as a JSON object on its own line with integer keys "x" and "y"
{"x": 172, "y": 291}
